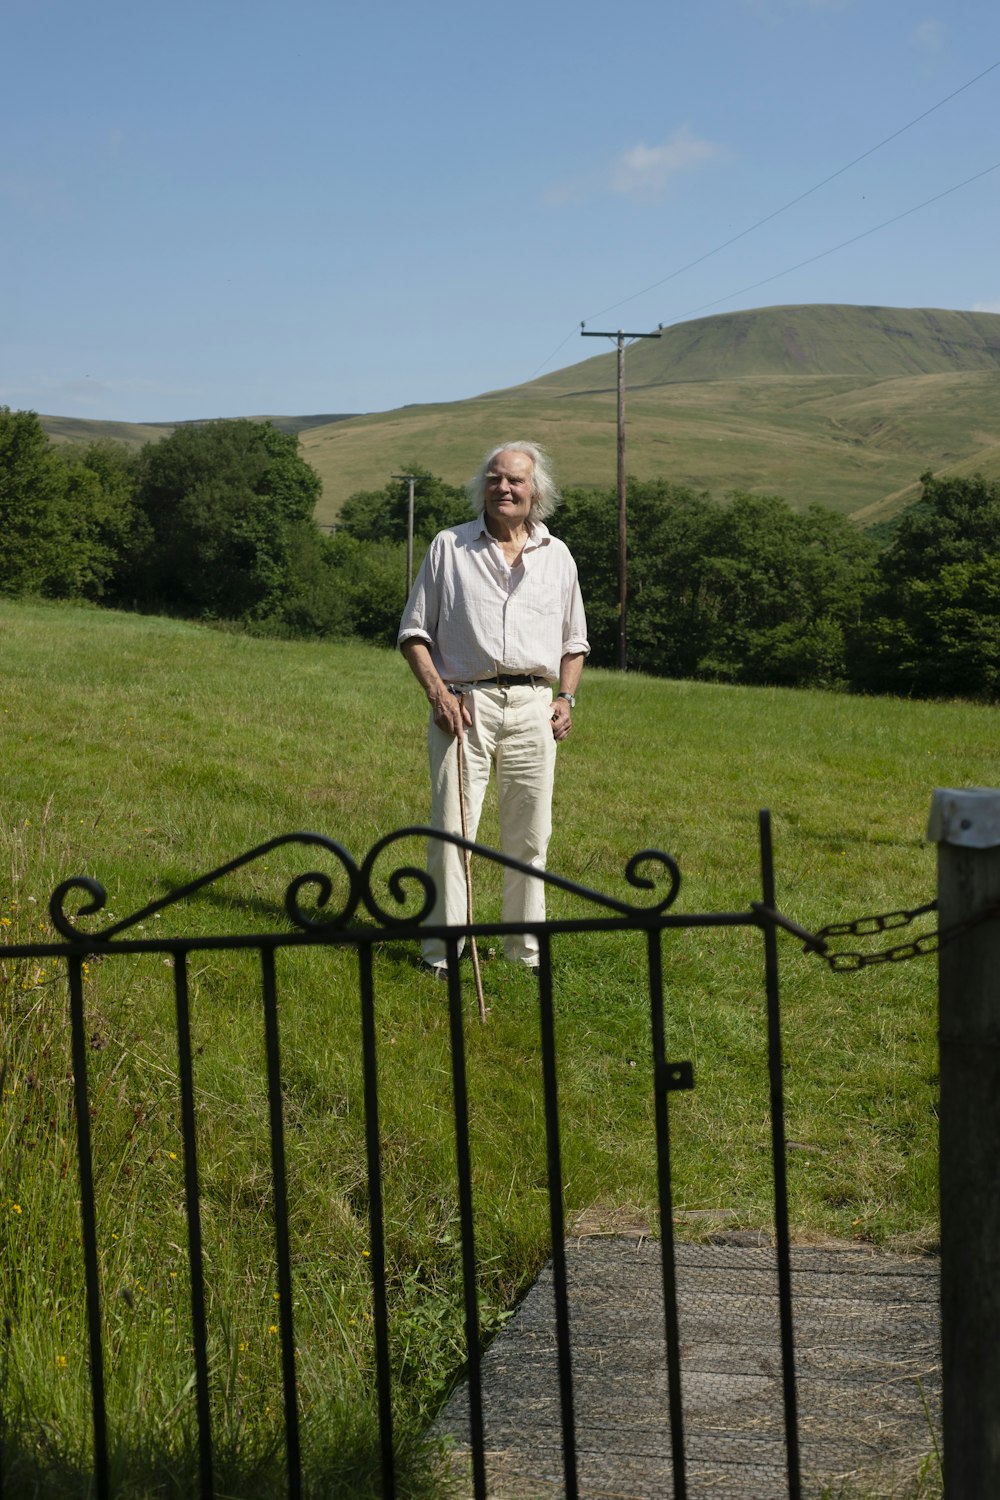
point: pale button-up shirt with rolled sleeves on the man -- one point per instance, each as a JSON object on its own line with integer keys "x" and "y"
{"x": 481, "y": 617}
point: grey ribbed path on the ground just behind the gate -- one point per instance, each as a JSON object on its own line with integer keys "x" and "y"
{"x": 867, "y": 1361}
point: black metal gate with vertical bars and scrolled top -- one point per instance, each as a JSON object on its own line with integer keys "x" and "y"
{"x": 362, "y": 925}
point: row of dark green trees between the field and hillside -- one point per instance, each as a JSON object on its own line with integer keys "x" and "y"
{"x": 215, "y": 523}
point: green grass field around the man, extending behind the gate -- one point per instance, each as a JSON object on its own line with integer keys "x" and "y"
{"x": 145, "y": 752}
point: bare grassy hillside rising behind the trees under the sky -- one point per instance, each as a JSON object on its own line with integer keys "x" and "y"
{"x": 837, "y": 406}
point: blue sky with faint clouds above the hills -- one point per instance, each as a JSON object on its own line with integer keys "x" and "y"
{"x": 235, "y": 208}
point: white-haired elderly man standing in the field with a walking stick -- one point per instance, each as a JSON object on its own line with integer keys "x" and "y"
{"x": 496, "y": 622}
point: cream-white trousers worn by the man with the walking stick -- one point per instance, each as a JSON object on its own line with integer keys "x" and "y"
{"x": 512, "y": 730}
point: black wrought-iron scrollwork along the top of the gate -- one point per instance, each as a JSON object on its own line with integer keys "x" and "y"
{"x": 644, "y": 872}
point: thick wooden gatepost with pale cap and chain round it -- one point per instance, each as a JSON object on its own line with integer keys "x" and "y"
{"x": 966, "y": 827}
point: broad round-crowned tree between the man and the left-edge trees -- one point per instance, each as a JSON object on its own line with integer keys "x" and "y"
{"x": 223, "y": 503}
